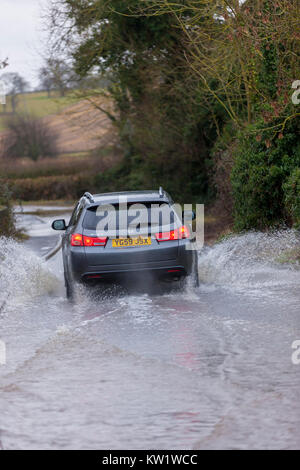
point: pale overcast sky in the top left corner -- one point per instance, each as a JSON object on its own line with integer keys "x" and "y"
{"x": 21, "y": 36}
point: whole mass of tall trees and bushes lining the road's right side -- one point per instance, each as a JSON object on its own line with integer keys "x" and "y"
{"x": 202, "y": 94}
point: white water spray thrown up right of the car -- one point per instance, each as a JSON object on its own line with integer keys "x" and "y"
{"x": 252, "y": 262}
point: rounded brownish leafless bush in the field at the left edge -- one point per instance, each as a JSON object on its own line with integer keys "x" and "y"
{"x": 29, "y": 137}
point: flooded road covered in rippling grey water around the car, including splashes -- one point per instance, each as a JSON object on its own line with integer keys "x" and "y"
{"x": 207, "y": 368}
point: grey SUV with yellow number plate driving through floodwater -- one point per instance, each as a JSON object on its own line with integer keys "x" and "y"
{"x": 127, "y": 237}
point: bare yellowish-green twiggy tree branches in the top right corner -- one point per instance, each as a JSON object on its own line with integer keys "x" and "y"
{"x": 229, "y": 48}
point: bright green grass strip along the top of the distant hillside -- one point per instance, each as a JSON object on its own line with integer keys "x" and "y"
{"x": 38, "y": 104}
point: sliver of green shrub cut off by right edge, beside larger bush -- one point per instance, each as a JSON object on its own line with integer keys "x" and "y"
{"x": 292, "y": 196}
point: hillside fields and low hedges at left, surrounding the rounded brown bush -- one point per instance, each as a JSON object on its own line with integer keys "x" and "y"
{"x": 86, "y": 144}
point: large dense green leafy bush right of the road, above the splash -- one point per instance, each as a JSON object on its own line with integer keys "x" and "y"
{"x": 262, "y": 163}
